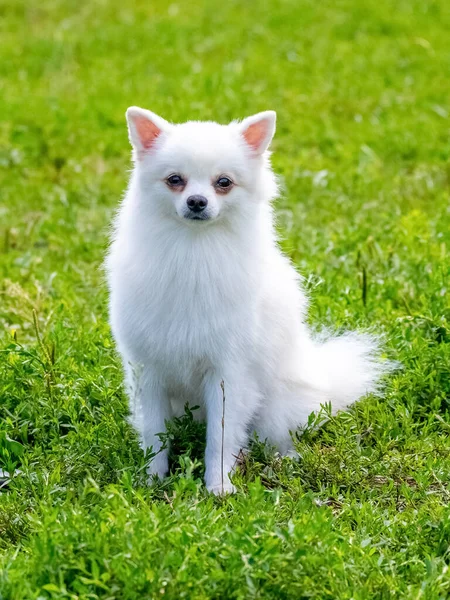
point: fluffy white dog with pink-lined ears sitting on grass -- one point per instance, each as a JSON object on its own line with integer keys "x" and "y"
{"x": 204, "y": 304}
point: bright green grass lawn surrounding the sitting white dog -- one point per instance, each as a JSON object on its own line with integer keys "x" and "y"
{"x": 362, "y": 148}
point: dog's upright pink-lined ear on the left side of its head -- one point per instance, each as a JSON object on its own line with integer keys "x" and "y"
{"x": 144, "y": 127}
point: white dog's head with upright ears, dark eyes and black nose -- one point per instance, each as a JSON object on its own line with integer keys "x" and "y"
{"x": 198, "y": 172}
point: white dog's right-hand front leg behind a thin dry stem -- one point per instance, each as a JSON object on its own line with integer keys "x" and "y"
{"x": 227, "y": 417}
